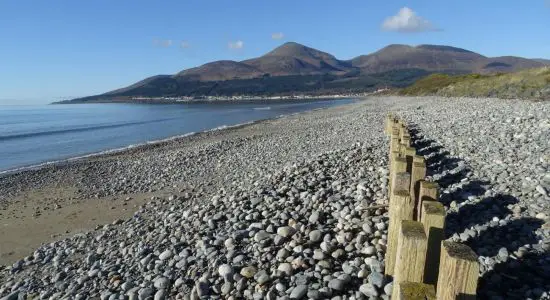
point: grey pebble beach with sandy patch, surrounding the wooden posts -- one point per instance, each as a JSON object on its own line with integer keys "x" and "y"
{"x": 288, "y": 208}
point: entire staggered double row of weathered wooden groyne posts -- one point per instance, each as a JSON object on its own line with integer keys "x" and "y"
{"x": 423, "y": 265}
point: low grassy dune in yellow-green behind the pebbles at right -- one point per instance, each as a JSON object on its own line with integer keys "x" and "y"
{"x": 527, "y": 84}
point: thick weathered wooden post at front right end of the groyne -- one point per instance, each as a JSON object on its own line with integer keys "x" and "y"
{"x": 458, "y": 272}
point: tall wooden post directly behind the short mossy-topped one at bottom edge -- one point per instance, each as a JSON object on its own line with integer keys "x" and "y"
{"x": 411, "y": 255}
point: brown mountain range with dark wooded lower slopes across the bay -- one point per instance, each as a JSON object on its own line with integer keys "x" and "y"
{"x": 295, "y": 68}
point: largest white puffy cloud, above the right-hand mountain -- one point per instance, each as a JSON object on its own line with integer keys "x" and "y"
{"x": 407, "y": 20}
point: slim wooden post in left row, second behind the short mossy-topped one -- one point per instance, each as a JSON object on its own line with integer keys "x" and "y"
{"x": 401, "y": 208}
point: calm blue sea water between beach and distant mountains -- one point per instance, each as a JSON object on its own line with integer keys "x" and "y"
{"x": 34, "y": 135}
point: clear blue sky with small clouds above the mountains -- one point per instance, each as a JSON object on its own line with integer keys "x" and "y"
{"x": 56, "y": 49}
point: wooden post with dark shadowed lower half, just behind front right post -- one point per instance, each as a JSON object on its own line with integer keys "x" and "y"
{"x": 433, "y": 219}
